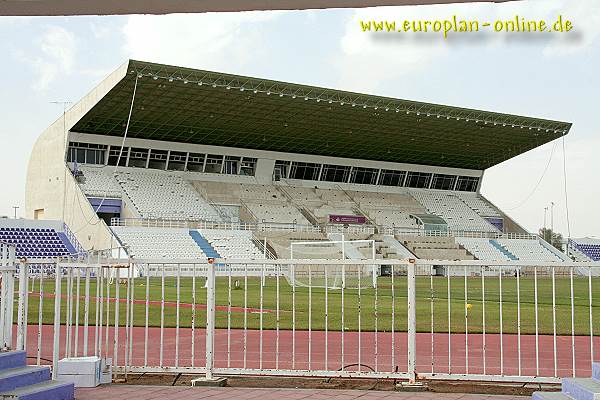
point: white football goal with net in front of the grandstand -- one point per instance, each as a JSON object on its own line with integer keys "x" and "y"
{"x": 329, "y": 272}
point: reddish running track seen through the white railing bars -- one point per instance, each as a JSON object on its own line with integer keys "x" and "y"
{"x": 232, "y": 355}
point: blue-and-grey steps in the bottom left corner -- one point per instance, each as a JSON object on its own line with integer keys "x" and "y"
{"x": 18, "y": 381}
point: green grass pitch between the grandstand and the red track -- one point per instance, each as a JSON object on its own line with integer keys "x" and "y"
{"x": 427, "y": 297}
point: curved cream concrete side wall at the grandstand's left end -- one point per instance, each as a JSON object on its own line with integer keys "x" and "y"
{"x": 51, "y": 187}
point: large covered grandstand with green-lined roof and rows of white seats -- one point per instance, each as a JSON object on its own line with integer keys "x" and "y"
{"x": 179, "y": 163}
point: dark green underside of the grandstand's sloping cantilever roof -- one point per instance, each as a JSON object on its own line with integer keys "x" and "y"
{"x": 194, "y": 106}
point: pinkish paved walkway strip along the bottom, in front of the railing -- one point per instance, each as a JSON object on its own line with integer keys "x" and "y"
{"x": 136, "y": 392}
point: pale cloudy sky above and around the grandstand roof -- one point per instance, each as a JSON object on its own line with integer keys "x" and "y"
{"x": 546, "y": 75}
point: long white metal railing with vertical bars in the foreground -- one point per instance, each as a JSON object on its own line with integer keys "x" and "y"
{"x": 427, "y": 319}
